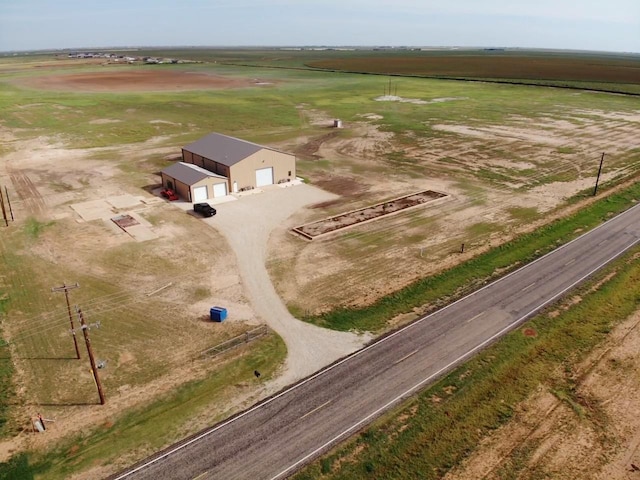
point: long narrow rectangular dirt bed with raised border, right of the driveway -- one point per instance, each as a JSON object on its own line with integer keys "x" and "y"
{"x": 373, "y": 212}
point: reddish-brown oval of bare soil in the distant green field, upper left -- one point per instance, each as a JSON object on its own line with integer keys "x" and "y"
{"x": 151, "y": 79}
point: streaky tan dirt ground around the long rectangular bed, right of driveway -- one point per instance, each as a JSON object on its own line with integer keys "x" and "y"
{"x": 500, "y": 181}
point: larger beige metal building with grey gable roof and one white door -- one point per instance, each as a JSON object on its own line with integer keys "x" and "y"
{"x": 244, "y": 164}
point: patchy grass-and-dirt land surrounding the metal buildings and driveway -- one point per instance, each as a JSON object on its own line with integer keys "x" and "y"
{"x": 78, "y": 135}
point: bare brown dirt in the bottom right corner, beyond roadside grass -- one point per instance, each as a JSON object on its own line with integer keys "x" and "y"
{"x": 598, "y": 439}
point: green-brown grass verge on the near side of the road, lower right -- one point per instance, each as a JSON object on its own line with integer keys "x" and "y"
{"x": 434, "y": 431}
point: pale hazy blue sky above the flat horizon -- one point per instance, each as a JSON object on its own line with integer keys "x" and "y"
{"x": 605, "y": 25}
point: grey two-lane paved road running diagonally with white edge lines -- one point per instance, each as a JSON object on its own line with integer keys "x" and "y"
{"x": 273, "y": 439}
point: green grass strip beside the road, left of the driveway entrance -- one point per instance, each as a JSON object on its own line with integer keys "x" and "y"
{"x": 139, "y": 432}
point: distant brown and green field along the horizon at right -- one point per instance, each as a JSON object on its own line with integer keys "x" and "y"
{"x": 588, "y": 70}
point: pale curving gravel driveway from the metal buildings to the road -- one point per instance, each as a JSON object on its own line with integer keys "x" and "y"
{"x": 247, "y": 224}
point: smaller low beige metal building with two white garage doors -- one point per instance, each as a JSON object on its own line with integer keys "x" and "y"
{"x": 193, "y": 183}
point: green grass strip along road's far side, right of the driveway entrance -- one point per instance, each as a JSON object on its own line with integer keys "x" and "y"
{"x": 444, "y": 287}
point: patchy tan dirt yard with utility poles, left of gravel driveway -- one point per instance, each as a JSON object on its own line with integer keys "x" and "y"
{"x": 150, "y": 290}
